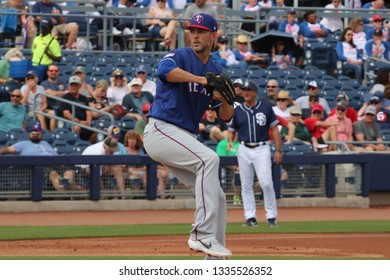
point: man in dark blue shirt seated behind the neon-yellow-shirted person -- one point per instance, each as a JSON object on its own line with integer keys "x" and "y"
{"x": 70, "y": 30}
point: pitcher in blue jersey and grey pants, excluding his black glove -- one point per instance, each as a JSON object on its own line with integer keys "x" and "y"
{"x": 170, "y": 135}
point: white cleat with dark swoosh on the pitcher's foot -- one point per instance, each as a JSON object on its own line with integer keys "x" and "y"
{"x": 209, "y": 246}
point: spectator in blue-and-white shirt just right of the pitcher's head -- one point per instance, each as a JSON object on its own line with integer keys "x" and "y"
{"x": 224, "y": 56}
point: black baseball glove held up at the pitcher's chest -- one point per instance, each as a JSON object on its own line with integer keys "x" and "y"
{"x": 222, "y": 85}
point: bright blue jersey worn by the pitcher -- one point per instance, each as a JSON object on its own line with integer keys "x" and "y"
{"x": 182, "y": 104}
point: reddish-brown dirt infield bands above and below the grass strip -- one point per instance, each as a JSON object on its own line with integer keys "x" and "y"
{"x": 356, "y": 245}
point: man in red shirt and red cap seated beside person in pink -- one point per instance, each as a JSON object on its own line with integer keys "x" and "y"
{"x": 323, "y": 131}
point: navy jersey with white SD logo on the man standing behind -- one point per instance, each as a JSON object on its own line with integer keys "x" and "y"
{"x": 252, "y": 124}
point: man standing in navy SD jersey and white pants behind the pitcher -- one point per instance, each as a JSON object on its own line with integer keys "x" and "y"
{"x": 252, "y": 121}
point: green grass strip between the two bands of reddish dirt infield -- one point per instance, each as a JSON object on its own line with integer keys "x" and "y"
{"x": 50, "y": 232}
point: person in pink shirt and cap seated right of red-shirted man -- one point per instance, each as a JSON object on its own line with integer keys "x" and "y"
{"x": 344, "y": 129}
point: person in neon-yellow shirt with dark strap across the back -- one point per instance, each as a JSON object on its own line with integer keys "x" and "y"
{"x": 45, "y": 48}
